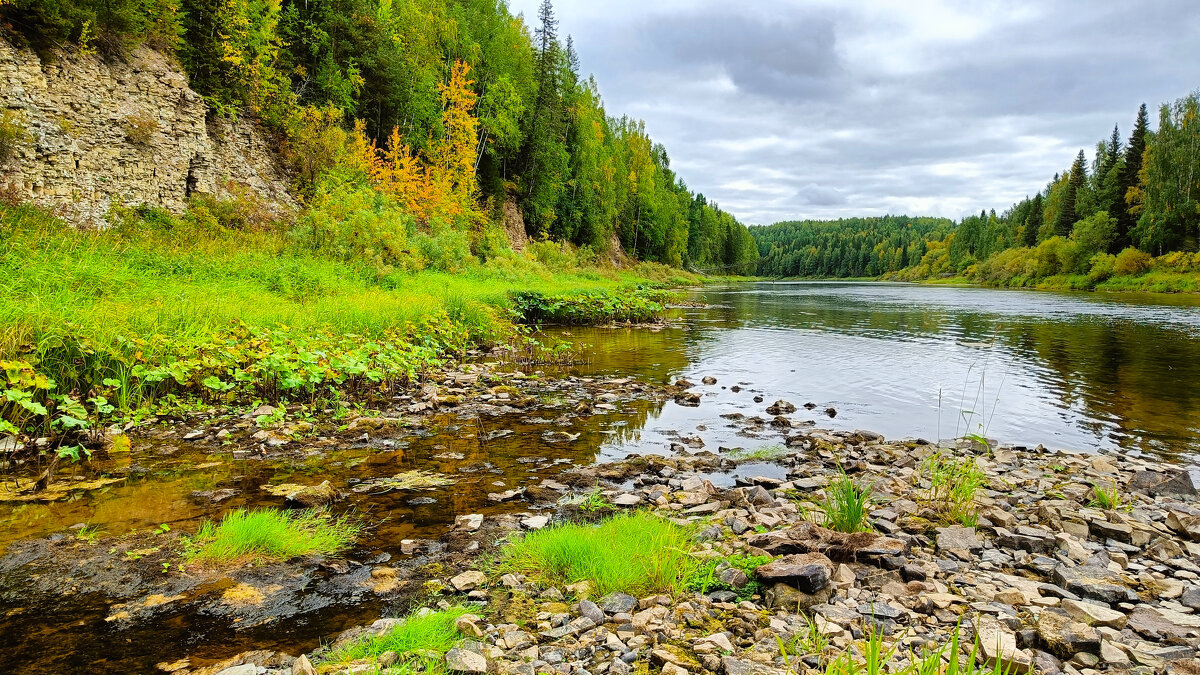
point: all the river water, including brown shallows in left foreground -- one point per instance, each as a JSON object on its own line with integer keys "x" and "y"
{"x": 1081, "y": 372}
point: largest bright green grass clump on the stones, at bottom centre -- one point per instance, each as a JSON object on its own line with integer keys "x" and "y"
{"x": 638, "y": 554}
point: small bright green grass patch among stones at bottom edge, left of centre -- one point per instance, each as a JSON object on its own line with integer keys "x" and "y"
{"x": 422, "y": 641}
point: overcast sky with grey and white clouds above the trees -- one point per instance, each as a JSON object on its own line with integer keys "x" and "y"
{"x": 821, "y": 110}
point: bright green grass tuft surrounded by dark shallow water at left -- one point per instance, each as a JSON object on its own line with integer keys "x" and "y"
{"x": 266, "y": 535}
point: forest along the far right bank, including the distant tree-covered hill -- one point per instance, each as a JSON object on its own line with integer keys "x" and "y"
{"x": 1133, "y": 208}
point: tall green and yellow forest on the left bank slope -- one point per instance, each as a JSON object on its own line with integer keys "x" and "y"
{"x": 446, "y": 109}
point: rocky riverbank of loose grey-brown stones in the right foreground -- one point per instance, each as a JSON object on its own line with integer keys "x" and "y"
{"x": 1046, "y": 581}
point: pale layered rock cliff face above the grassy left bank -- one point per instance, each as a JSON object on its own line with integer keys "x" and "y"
{"x": 124, "y": 134}
